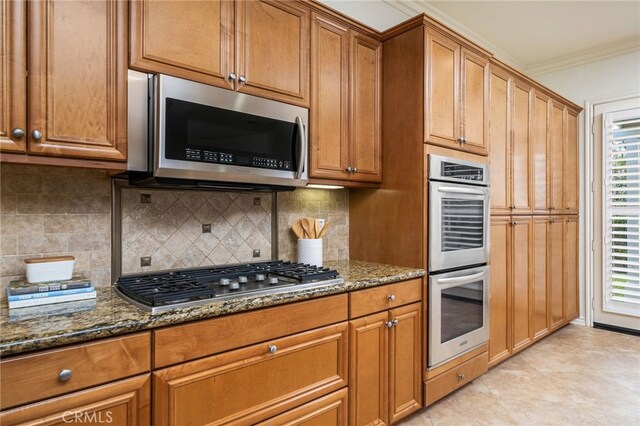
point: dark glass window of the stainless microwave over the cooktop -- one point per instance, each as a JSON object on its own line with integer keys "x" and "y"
{"x": 205, "y": 133}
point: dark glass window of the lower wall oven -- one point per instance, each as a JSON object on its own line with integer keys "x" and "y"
{"x": 461, "y": 310}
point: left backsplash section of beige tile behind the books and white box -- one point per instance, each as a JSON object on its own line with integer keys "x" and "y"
{"x": 51, "y": 211}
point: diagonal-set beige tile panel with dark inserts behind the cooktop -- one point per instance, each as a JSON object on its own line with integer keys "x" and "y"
{"x": 169, "y": 228}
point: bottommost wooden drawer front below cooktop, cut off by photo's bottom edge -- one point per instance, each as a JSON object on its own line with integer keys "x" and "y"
{"x": 330, "y": 410}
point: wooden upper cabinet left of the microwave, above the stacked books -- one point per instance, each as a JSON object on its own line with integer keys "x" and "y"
{"x": 76, "y": 57}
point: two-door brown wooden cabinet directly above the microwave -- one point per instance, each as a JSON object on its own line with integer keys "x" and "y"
{"x": 259, "y": 47}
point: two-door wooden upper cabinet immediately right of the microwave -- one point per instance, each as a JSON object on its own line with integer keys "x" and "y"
{"x": 345, "y": 99}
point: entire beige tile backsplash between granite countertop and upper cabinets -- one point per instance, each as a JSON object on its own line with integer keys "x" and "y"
{"x": 51, "y": 211}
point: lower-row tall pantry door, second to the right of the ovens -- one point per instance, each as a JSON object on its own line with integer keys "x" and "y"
{"x": 521, "y": 283}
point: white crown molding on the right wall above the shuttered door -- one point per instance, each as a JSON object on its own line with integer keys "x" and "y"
{"x": 585, "y": 57}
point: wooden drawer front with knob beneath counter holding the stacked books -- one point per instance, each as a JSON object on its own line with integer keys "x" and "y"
{"x": 38, "y": 376}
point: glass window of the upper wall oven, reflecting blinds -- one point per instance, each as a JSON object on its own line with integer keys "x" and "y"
{"x": 462, "y": 222}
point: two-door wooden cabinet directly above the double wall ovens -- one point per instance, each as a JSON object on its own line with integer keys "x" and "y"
{"x": 456, "y": 111}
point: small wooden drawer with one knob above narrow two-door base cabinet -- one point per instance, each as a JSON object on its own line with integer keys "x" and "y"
{"x": 377, "y": 299}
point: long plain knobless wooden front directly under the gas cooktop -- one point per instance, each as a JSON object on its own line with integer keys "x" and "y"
{"x": 182, "y": 343}
